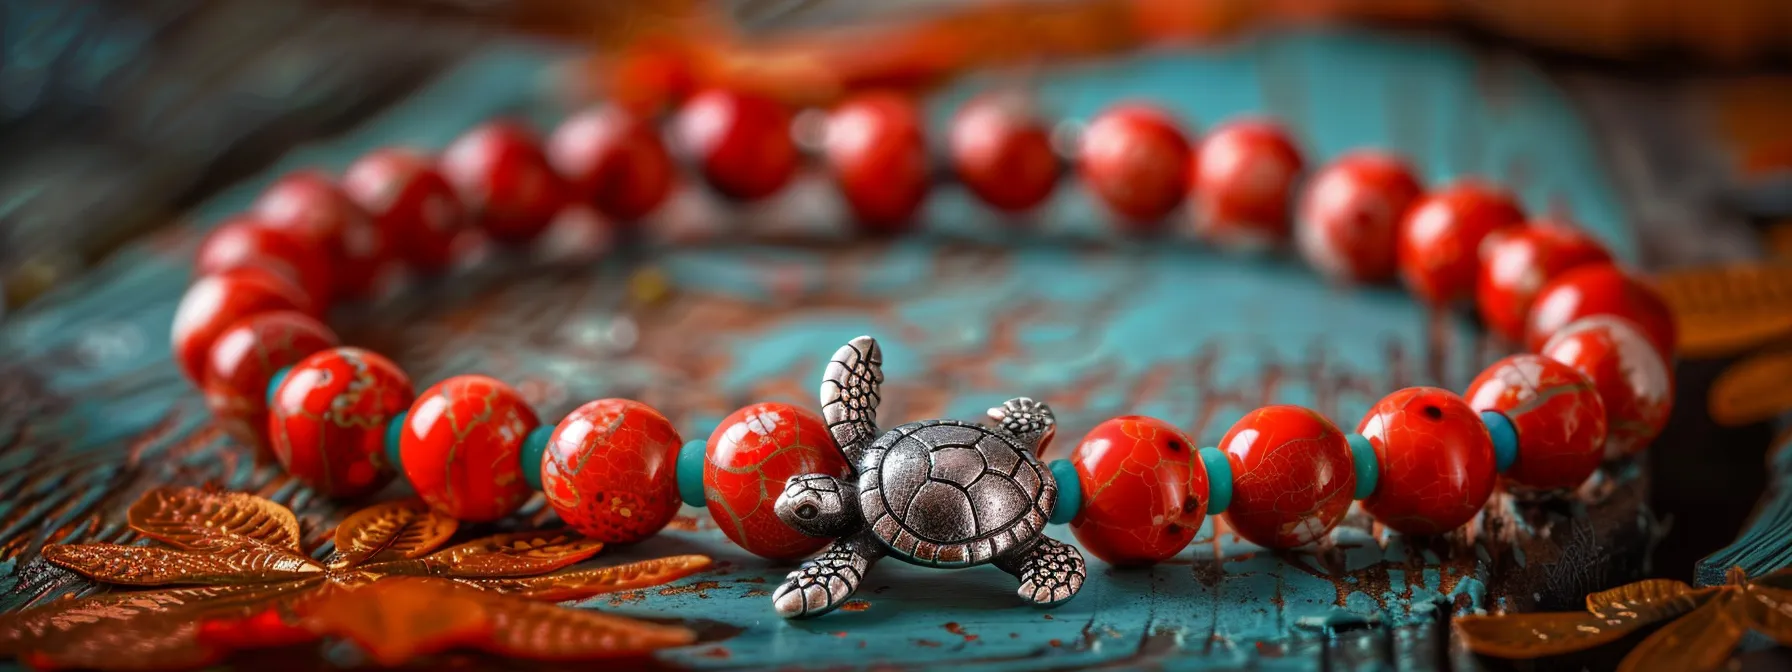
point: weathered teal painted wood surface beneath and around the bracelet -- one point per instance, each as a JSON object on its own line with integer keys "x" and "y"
{"x": 92, "y": 411}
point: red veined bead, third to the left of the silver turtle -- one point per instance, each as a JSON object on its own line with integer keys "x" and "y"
{"x": 463, "y": 447}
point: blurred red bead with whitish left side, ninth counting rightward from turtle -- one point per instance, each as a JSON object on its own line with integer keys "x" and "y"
{"x": 1350, "y": 216}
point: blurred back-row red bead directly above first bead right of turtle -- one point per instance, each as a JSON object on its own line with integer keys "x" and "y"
{"x": 1135, "y": 159}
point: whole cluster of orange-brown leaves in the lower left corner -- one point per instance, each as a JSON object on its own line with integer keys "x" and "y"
{"x": 392, "y": 589}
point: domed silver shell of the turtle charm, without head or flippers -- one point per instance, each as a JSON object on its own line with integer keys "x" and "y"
{"x": 949, "y": 494}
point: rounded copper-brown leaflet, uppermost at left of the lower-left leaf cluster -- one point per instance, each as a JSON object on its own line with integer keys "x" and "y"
{"x": 209, "y": 522}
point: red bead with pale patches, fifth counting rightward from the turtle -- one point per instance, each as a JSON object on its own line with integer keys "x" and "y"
{"x": 1628, "y": 372}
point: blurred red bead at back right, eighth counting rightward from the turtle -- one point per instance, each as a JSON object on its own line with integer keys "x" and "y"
{"x": 1440, "y": 241}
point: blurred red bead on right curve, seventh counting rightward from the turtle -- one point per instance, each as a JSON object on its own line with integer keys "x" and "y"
{"x": 1515, "y": 264}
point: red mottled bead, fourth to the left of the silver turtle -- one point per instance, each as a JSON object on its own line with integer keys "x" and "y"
{"x": 327, "y": 420}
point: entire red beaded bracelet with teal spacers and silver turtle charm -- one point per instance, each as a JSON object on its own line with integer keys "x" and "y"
{"x": 940, "y": 494}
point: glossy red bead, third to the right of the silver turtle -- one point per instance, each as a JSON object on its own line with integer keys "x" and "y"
{"x": 1436, "y": 461}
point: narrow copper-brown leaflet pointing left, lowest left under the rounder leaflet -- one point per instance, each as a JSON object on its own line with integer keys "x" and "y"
{"x": 157, "y": 567}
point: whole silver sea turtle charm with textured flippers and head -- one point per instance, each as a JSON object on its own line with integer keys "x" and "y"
{"x": 935, "y": 494}
